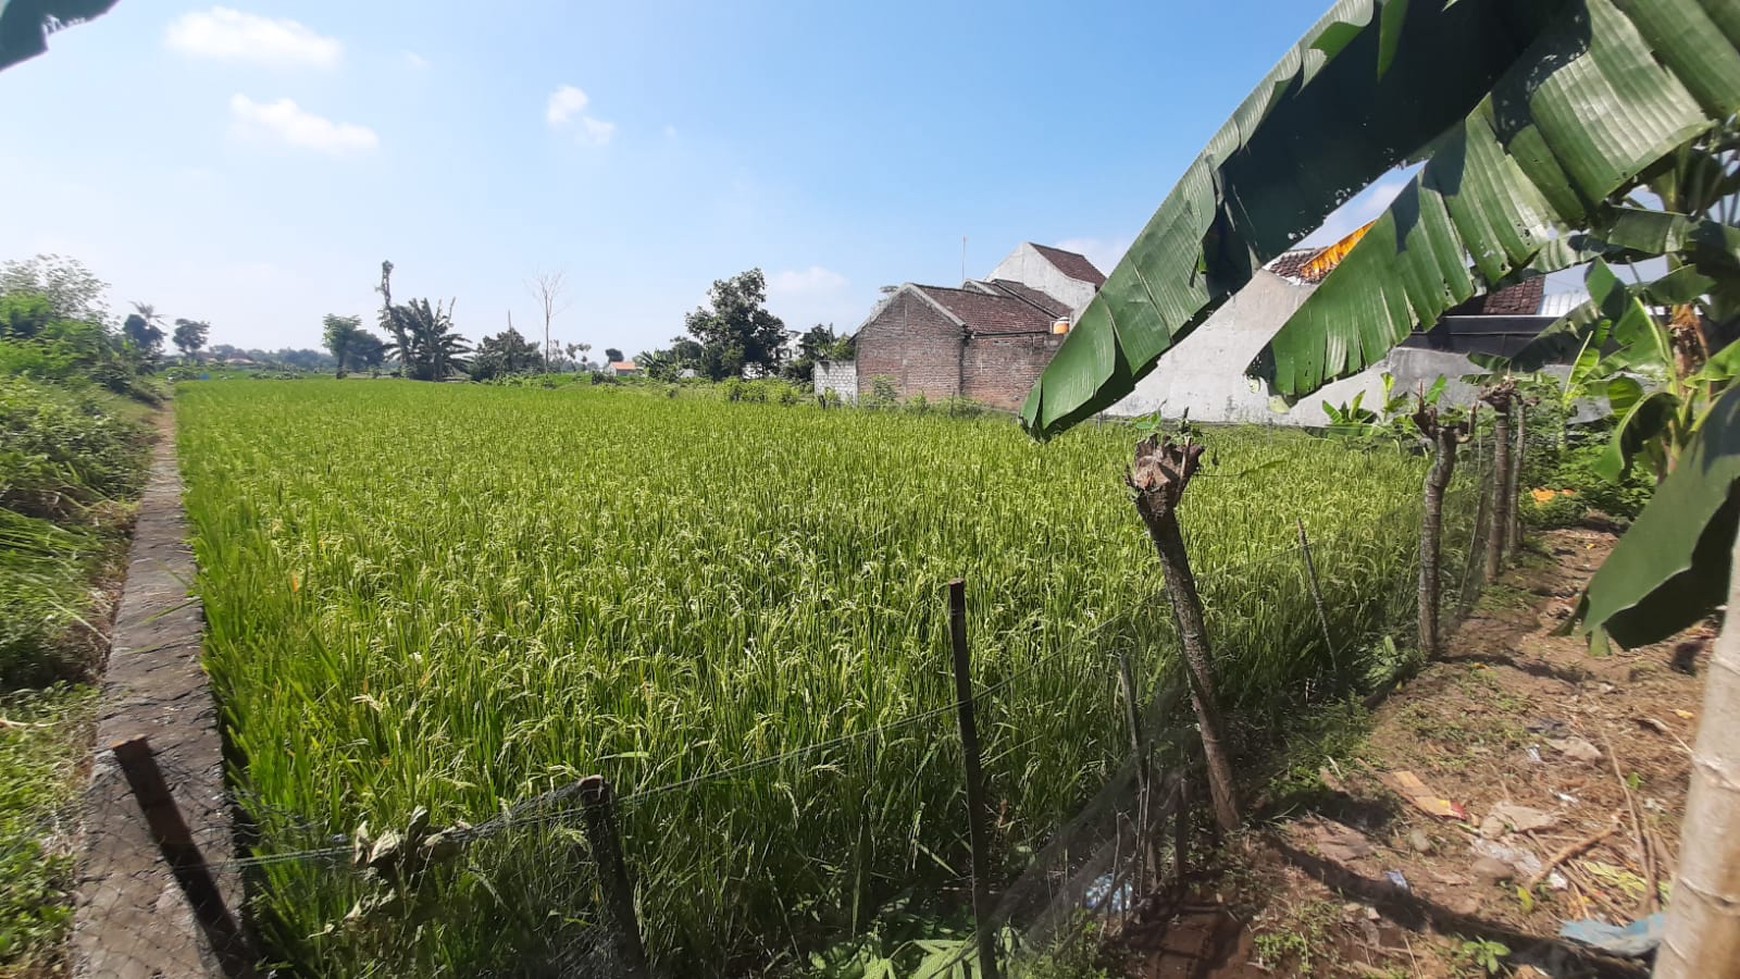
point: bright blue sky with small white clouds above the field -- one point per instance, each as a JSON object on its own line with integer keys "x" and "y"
{"x": 251, "y": 164}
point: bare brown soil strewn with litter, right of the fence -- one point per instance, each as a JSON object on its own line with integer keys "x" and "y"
{"x": 1560, "y": 780}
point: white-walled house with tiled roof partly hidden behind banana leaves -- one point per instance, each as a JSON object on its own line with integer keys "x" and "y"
{"x": 1205, "y": 373}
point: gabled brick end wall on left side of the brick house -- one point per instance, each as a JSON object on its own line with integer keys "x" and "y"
{"x": 914, "y": 345}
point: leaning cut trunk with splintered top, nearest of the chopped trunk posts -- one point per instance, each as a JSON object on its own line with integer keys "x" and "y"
{"x": 1160, "y": 481}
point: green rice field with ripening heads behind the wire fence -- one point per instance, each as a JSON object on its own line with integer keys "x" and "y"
{"x": 457, "y": 599}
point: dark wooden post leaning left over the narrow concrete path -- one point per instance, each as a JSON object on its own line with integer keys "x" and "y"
{"x": 173, "y": 837}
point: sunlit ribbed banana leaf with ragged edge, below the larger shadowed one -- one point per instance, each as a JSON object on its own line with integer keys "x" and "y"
{"x": 1609, "y": 91}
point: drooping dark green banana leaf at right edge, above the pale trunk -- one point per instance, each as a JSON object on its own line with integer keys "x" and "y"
{"x": 1671, "y": 568}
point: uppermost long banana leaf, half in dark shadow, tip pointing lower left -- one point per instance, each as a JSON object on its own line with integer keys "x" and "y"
{"x": 1322, "y": 126}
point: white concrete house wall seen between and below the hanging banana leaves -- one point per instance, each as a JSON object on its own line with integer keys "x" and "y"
{"x": 1207, "y": 371}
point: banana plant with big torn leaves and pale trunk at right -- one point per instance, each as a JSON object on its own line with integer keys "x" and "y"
{"x": 1541, "y": 123}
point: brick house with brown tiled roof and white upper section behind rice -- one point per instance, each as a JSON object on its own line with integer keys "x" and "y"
{"x": 987, "y": 342}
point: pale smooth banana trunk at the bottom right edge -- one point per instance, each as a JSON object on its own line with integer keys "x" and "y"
{"x": 1704, "y": 916}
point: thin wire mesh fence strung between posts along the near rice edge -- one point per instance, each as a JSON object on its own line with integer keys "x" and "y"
{"x": 586, "y": 882}
